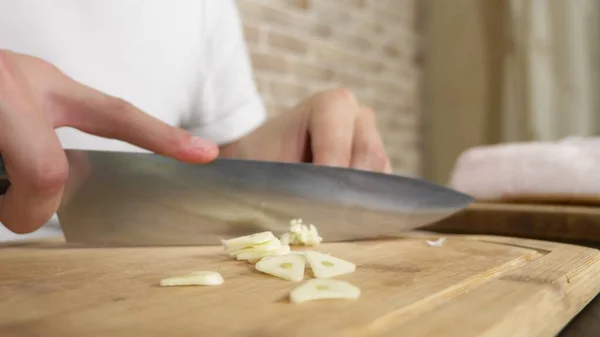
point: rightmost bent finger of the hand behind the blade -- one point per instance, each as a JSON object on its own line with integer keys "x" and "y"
{"x": 368, "y": 151}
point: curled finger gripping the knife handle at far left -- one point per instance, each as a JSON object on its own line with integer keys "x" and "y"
{"x": 33, "y": 157}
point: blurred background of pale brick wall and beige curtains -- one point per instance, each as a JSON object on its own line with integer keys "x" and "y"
{"x": 442, "y": 75}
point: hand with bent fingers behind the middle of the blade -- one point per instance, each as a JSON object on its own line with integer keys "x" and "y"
{"x": 330, "y": 128}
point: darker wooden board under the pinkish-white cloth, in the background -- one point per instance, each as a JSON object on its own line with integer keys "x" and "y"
{"x": 567, "y": 223}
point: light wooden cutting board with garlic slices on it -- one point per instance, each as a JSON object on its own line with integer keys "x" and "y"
{"x": 470, "y": 286}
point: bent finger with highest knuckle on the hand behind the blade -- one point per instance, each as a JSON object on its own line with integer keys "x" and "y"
{"x": 331, "y": 128}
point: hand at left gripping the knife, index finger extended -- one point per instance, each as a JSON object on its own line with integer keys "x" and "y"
{"x": 36, "y": 98}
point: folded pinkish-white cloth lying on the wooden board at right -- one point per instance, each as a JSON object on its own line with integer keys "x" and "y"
{"x": 567, "y": 168}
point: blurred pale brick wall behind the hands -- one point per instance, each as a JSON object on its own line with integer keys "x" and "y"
{"x": 299, "y": 47}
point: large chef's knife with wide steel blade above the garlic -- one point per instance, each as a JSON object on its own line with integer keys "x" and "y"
{"x": 140, "y": 199}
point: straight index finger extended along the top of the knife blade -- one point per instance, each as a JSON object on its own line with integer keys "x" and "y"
{"x": 97, "y": 113}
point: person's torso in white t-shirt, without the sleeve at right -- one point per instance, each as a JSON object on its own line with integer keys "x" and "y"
{"x": 147, "y": 52}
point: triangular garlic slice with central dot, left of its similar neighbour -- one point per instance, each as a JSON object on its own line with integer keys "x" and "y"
{"x": 288, "y": 267}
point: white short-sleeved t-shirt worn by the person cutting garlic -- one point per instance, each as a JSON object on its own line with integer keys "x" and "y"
{"x": 182, "y": 61}
